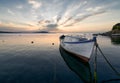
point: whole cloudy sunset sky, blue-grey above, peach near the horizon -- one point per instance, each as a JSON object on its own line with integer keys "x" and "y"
{"x": 59, "y": 15}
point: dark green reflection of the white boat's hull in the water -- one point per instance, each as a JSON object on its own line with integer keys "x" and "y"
{"x": 81, "y": 68}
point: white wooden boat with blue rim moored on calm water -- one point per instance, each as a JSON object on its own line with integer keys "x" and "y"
{"x": 80, "y": 47}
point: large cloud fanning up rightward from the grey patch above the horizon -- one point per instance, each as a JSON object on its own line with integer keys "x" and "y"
{"x": 69, "y": 18}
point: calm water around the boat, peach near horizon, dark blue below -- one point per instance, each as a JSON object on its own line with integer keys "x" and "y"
{"x": 33, "y": 58}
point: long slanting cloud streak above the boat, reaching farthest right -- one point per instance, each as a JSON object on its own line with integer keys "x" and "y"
{"x": 81, "y": 16}
